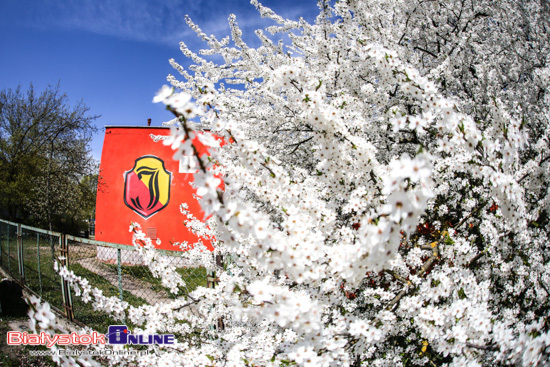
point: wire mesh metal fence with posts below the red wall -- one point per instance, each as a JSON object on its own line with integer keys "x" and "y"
{"x": 28, "y": 255}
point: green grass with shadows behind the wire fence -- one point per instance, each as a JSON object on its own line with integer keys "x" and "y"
{"x": 45, "y": 282}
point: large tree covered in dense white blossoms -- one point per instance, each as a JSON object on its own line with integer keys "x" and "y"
{"x": 386, "y": 190}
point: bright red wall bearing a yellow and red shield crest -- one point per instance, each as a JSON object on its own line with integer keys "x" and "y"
{"x": 122, "y": 146}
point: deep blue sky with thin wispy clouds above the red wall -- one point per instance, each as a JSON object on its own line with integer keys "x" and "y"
{"x": 113, "y": 54}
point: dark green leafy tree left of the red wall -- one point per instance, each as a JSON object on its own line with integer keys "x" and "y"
{"x": 44, "y": 157}
